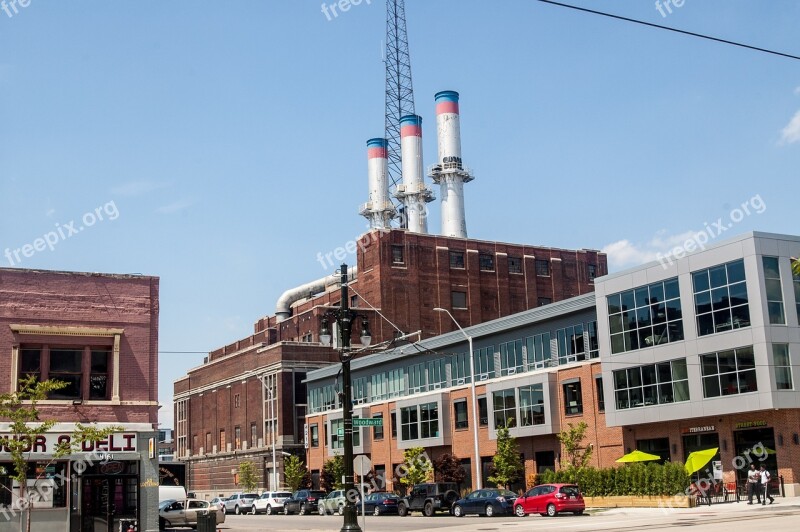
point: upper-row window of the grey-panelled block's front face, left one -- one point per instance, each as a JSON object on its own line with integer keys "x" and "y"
{"x": 645, "y": 316}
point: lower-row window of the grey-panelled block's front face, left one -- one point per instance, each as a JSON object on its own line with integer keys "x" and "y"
{"x": 654, "y": 384}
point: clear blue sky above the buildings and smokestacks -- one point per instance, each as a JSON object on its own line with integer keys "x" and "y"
{"x": 229, "y": 137}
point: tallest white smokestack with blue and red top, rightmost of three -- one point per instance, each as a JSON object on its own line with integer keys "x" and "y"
{"x": 449, "y": 172}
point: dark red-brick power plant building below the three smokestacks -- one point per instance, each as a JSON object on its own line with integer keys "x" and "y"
{"x": 222, "y": 408}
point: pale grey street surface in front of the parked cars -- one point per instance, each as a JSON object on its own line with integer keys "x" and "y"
{"x": 780, "y": 517}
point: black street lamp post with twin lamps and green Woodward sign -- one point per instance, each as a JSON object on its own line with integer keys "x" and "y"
{"x": 344, "y": 317}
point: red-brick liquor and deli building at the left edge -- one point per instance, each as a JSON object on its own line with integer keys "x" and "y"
{"x": 98, "y": 333}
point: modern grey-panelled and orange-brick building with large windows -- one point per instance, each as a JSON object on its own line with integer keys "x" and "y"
{"x": 695, "y": 353}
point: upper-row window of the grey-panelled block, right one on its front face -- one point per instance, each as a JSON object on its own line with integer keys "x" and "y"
{"x": 720, "y": 298}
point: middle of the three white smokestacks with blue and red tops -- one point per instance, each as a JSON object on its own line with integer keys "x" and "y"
{"x": 413, "y": 192}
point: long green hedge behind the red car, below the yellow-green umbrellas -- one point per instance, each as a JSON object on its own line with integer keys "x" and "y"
{"x": 633, "y": 479}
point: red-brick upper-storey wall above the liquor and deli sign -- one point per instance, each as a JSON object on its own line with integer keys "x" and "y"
{"x": 66, "y": 299}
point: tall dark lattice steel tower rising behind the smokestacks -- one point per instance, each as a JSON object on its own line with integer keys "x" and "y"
{"x": 399, "y": 89}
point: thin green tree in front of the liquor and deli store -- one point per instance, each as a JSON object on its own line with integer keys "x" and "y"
{"x": 21, "y": 410}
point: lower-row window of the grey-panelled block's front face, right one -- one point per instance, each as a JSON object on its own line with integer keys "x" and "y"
{"x": 729, "y": 372}
